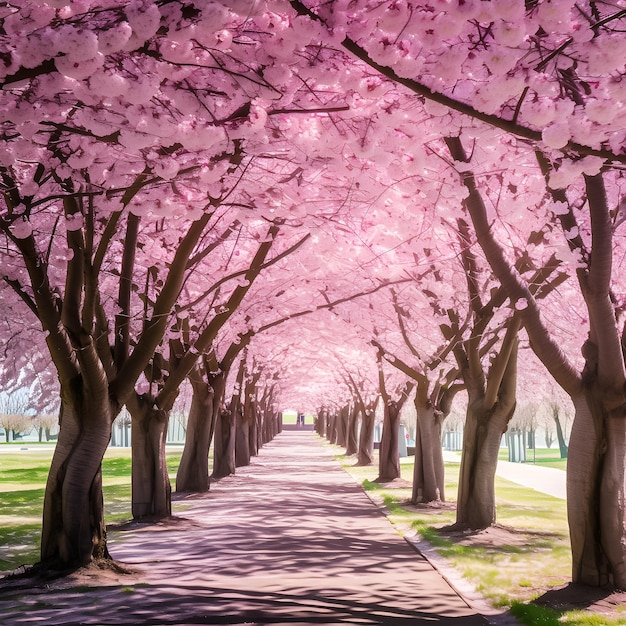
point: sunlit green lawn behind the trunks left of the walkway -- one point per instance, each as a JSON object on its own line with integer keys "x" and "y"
{"x": 23, "y": 474}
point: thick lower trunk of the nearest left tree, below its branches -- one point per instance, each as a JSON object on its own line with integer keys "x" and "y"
{"x": 73, "y": 531}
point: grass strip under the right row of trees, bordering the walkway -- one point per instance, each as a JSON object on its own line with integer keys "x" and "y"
{"x": 526, "y": 555}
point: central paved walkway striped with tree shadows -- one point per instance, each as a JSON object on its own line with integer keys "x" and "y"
{"x": 289, "y": 539}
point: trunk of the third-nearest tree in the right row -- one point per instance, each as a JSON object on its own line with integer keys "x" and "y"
{"x": 428, "y": 470}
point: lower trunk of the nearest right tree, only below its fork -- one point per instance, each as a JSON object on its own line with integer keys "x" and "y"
{"x": 595, "y": 483}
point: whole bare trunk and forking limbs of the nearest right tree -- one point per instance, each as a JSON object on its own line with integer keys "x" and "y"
{"x": 596, "y": 452}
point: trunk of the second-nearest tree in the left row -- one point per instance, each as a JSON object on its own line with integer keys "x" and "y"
{"x": 151, "y": 487}
